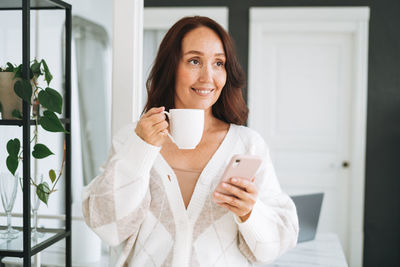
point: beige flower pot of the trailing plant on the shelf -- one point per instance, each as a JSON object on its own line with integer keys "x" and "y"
{"x": 8, "y": 99}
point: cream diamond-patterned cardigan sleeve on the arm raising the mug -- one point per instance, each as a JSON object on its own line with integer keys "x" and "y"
{"x": 115, "y": 203}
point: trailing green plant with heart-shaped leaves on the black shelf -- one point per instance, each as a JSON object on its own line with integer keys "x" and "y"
{"x": 45, "y": 102}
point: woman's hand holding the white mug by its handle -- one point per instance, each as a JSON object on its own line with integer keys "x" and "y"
{"x": 153, "y": 127}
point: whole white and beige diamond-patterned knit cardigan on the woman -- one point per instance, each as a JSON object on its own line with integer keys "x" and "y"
{"x": 136, "y": 207}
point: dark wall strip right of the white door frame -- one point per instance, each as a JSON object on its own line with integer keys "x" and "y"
{"x": 382, "y": 193}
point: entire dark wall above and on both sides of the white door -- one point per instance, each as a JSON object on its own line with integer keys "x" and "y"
{"x": 382, "y": 191}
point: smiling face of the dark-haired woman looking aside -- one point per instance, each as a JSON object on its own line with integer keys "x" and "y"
{"x": 201, "y": 72}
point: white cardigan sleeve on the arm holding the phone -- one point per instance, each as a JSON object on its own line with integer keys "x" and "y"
{"x": 272, "y": 227}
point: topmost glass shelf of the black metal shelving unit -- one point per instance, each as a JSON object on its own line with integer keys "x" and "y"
{"x": 35, "y": 4}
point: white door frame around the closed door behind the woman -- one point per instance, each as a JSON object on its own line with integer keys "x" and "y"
{"x": 353, "y": 20}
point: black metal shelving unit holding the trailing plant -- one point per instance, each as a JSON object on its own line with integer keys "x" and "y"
{"x": 24, "y": 247}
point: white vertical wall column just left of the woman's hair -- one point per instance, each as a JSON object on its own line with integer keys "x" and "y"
{"x": 127, "y": 47}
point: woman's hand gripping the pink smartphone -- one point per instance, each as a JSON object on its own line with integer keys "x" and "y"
{"x": 241, "y": 199}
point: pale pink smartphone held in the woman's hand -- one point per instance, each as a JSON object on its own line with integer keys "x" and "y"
{"x": 244, "y": 166}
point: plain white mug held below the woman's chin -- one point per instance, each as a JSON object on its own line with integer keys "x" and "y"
{"x": 186, "y": 126}
